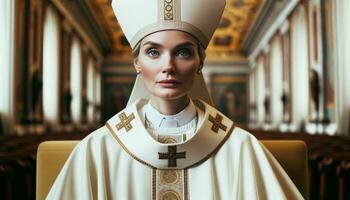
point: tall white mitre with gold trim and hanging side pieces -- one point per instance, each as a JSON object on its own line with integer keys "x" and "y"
{"x": 139, "y": 18}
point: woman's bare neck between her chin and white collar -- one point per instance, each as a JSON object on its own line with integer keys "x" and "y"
{"x": 170, "y": 107}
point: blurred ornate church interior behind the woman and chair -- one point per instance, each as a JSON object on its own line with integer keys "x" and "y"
{"x": 277, "y": 68}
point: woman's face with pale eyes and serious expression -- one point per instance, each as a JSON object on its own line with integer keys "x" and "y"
{"x": 168, "y": 61}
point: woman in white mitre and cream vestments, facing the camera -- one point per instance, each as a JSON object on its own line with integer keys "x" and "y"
{"x": 168, "y": 143}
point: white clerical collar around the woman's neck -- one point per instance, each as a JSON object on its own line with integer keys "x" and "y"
{"x": 160, "y": 120}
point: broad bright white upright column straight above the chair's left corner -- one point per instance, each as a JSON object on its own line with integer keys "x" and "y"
{"x": 51, "y": 66}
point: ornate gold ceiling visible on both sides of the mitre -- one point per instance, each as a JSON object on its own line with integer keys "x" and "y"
{"x": 236, "y": 20}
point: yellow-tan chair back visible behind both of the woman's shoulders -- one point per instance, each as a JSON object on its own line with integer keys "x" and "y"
{"x": 291, "y": 154}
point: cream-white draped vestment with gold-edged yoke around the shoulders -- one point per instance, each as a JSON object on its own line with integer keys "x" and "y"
{"x": 221, "y": 161}
